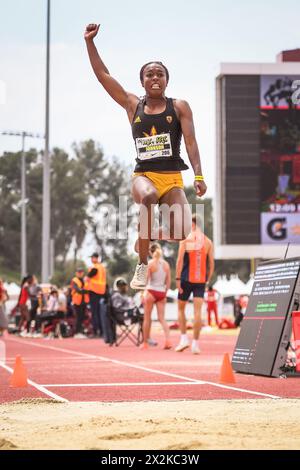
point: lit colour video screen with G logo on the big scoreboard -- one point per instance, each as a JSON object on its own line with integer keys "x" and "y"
{"x": 280, "y": 160}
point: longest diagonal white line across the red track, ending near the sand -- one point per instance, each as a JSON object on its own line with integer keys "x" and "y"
{"x": 134, "y": 366}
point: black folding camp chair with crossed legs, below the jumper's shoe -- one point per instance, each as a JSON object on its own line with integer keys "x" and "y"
{"x": 128, "y": 324}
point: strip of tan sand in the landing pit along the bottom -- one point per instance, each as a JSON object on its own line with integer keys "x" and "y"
{"x": 170, "y": 425}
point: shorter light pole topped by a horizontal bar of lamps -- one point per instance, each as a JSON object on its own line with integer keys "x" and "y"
{"x": 23, "y": 201}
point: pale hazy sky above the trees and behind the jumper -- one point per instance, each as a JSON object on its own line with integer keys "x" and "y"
{"x": 191, "y": 37}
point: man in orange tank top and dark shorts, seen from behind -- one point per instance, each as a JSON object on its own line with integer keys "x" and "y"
{"x": 191, "y": 277}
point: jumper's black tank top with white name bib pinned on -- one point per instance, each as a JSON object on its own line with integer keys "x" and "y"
{"x": 157, "y": 139}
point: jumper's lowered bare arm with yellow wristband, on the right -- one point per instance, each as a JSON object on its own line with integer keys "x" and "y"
{"x": 188, "y": 130}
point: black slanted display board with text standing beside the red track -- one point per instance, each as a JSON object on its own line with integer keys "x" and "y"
{"x": 266, "y": 329}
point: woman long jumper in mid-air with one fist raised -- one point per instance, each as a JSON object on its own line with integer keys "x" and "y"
{"x": 158, "y": 124}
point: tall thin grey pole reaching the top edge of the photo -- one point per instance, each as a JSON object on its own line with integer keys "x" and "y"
{"x": 46, "y": 168}
